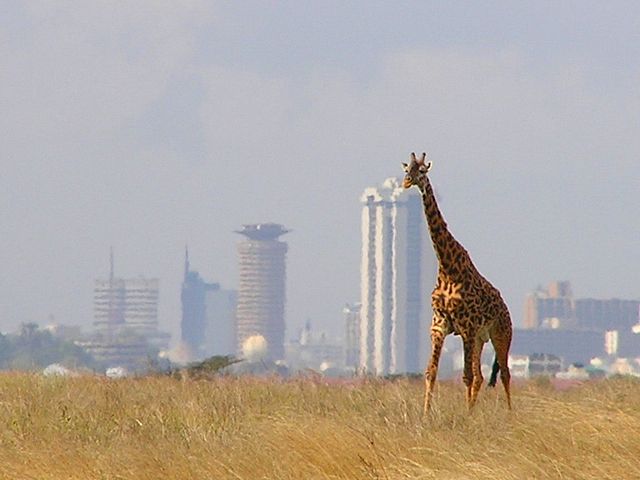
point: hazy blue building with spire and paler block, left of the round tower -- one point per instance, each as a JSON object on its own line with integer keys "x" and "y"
{"x": 208, "y": 316}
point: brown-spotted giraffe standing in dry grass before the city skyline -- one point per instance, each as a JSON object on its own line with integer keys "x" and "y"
{"x": 464, "y": 302}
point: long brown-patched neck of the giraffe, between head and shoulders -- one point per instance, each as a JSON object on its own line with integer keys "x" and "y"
{"x": 448, "y": 250}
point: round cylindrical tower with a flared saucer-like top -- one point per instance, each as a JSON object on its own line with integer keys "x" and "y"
{"x": 261, "y": 287}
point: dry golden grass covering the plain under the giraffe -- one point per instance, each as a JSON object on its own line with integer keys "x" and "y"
{"x": 150, "y": 428}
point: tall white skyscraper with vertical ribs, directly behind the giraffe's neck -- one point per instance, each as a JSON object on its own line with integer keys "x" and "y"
{"x": 398, "y": 272}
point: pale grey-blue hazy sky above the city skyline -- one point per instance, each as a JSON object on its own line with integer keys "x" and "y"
{"x": 151, "y": 124}
